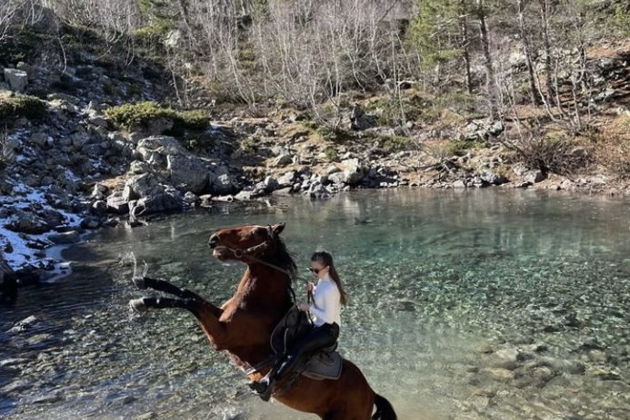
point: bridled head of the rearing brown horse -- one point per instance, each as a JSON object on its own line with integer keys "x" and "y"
{"x": 241, "y": 242}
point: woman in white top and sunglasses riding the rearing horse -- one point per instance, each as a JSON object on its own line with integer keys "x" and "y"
{"x": 328, "y": 295}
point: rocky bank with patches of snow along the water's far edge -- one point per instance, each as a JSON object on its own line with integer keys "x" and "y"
{"x": 90, "y": 146}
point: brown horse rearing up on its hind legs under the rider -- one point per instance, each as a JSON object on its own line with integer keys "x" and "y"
{"x": 243, "y": 325}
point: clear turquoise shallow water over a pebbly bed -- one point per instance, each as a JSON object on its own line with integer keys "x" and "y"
{"x": 435, "y": 279}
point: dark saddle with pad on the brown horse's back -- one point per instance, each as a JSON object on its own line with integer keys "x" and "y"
{"x": 325, "y": 364}
